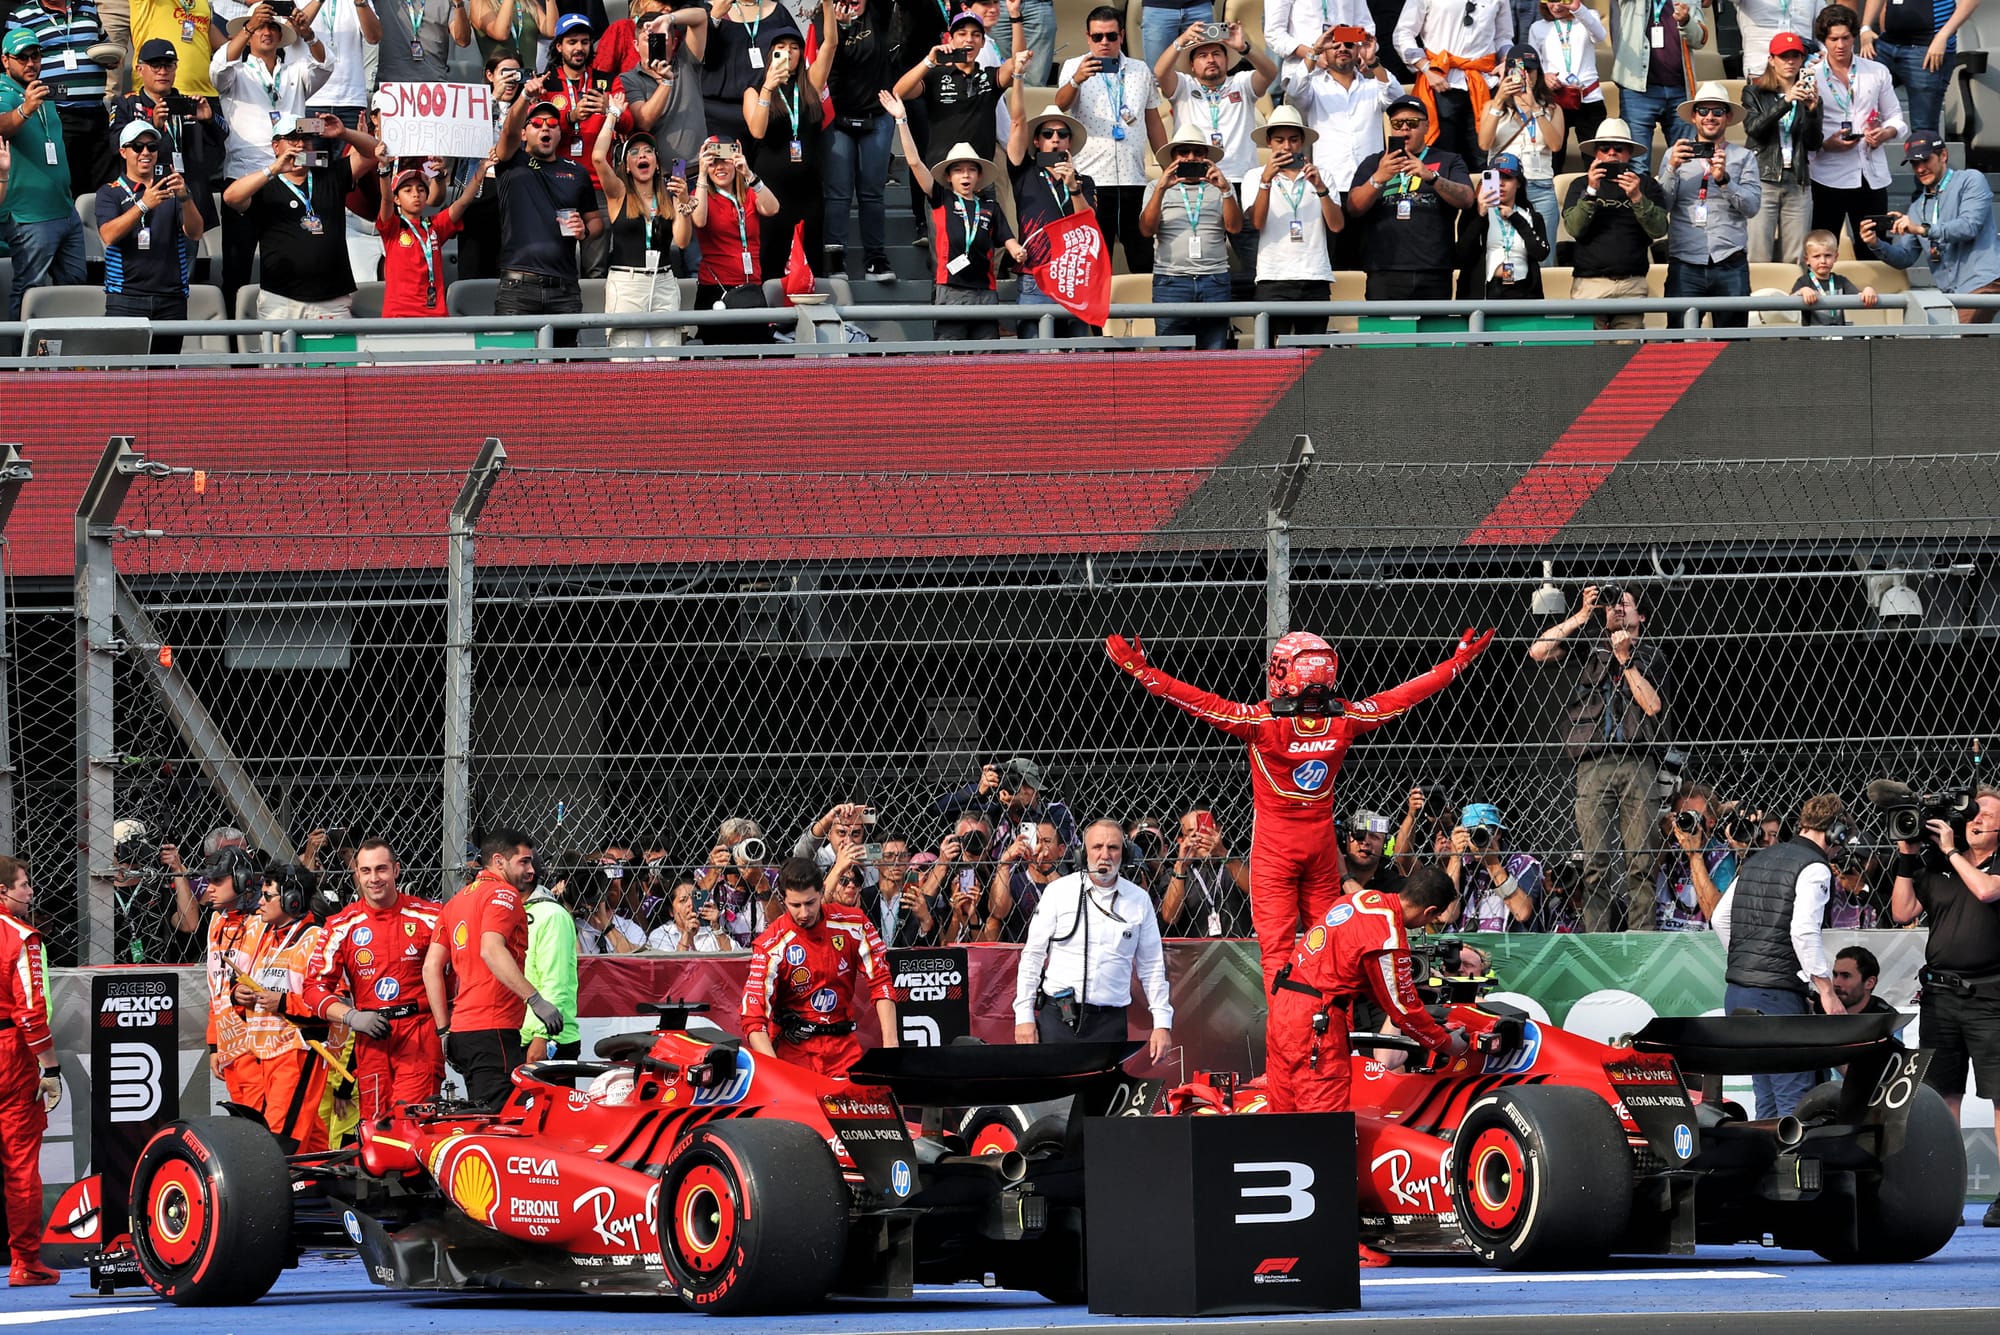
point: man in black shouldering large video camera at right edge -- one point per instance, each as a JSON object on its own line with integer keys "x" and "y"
{"x": 1951, "y": 874}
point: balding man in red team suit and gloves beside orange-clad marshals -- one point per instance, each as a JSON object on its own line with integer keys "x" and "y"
{"x": 369, "y": 976}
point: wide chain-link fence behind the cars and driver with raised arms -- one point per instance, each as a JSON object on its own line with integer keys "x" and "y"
{"x": 645, "y": 655}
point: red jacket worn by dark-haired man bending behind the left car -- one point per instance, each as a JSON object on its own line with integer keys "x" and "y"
{"x": 813, "y": 972}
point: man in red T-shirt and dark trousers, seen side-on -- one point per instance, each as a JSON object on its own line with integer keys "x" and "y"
{"x": 483, "y": 940}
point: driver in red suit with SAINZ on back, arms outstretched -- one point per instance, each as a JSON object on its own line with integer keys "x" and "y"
{"x": 1297, "y": 742}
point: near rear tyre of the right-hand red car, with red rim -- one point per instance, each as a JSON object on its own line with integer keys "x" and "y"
{"x": 1541, "y": 1178}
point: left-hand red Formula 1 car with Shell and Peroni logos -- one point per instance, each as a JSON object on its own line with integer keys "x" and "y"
{"x": 677, "y": 1164}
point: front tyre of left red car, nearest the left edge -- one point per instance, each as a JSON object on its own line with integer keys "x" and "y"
{"x": 213, "y": 1212}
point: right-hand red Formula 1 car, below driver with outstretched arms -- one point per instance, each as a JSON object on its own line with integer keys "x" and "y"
{"x": 1545, "y": 1150}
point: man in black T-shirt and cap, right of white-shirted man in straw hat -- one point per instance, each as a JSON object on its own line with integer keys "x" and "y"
{"x": 1407, "y": 203}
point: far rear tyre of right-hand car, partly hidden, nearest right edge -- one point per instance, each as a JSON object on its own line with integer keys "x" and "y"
{"x": 1917, "y": 1202}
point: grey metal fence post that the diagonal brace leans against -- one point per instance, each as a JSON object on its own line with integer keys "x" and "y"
{"x": 97, "y": 657}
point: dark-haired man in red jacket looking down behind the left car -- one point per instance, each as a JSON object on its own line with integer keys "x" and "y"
{"x": 807, "y": 972}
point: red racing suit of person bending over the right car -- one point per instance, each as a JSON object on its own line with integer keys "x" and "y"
{"x": 1359, "y": 946}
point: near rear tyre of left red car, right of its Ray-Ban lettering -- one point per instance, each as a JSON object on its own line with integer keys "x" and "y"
{"x": 753, "y": 1218}
